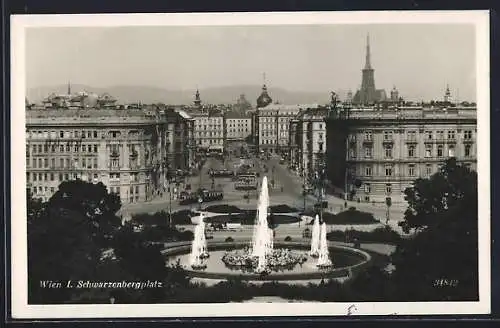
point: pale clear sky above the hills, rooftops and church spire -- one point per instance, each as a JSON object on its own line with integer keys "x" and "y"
{"x": 419, "y": 59}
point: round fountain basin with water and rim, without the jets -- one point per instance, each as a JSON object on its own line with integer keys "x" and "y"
{"x": 346, "y": 261}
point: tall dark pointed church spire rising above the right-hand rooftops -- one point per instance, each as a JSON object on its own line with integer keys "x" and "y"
{"x": 368, "y": 94}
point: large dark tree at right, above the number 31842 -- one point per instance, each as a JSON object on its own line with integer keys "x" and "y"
{"x": 441, "y": 261}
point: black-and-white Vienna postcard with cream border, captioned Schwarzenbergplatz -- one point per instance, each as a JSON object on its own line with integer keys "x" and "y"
{"x": 206, "y": 165}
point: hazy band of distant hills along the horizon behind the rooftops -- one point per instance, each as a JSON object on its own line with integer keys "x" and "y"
{"x": 217, "y": 95}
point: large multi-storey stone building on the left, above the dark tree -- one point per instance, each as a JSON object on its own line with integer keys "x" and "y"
{"x": 129, "y": 150}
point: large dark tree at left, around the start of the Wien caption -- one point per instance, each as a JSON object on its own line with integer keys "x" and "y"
{"x": 67, "y": 236}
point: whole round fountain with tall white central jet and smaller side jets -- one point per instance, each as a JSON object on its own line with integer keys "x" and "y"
{"x": 263, "y": 256}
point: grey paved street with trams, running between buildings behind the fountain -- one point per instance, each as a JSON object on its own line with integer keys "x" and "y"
{"x": 287, "y": 189}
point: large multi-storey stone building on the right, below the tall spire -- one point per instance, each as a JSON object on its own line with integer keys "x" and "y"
{"x": 374, "y": 154}
